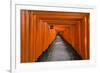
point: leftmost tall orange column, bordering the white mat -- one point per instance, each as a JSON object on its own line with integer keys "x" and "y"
{"x": 24, "y": 35}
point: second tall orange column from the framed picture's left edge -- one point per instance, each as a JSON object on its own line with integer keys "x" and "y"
{"x": 32, "y": 39}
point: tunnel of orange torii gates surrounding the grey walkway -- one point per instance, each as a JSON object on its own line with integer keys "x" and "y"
{"x": 39, "y": 29}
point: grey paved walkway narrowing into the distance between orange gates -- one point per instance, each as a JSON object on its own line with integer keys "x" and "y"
{"x": 59, "y": 51}
